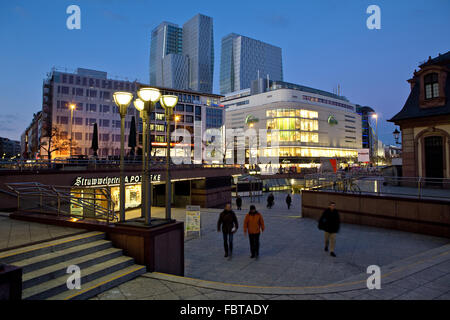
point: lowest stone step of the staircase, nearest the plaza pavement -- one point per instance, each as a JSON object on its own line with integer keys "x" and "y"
{"x": 99, "y": 285}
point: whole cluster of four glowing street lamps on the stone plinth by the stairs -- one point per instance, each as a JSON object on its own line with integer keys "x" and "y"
{"x": 148, "y": 97}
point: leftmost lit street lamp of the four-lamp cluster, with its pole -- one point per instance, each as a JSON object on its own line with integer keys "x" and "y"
{"x": 122, "y": 100}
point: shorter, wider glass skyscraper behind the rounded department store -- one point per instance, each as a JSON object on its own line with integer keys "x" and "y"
{"x": 244, "y": 59}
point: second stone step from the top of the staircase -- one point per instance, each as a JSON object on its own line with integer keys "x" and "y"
{"x": 48, "y": 259}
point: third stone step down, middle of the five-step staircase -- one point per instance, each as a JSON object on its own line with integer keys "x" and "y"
{"x": 59, "y": 269}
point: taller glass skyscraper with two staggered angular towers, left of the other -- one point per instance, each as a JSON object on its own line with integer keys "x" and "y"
{"x": 183, "y": 58}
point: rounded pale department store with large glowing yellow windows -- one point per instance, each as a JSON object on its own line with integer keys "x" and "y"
{"x": 313, "y": 124}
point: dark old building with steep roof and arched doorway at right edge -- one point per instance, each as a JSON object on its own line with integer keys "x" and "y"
{"x": 425, "y": 121}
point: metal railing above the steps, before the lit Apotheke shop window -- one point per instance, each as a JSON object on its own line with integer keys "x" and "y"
{"x": 94, "y": 204}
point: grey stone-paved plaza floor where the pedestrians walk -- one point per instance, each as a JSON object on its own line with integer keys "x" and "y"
{"x": 293, "y": 265}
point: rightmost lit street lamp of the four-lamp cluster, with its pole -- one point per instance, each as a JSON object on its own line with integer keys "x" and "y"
{"x": 168, "y": 102}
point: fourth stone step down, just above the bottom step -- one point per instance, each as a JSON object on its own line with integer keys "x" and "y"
{"x": 59, "y": 285}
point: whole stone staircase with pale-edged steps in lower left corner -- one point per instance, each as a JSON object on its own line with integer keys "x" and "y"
{"x": 45, "y": 267}
